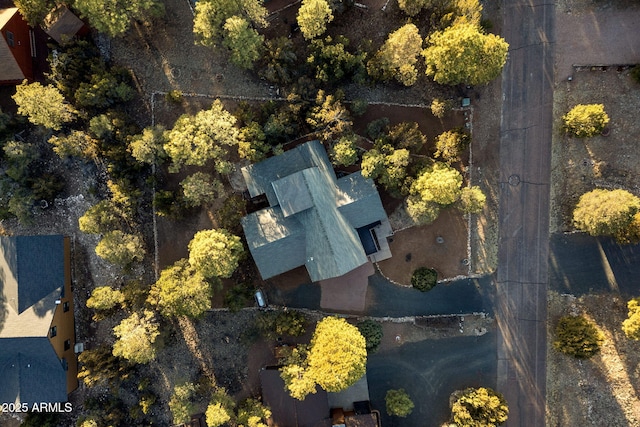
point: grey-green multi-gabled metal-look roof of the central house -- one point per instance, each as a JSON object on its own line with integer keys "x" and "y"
{"x": 312, "y": 218}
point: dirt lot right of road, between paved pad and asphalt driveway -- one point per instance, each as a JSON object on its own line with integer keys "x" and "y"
{"x": 580, "y": 165}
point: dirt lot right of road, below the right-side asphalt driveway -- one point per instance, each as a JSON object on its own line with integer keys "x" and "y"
{"x": 603, "y": 390}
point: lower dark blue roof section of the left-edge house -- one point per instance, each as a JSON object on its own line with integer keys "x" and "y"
{"x": 31, "y": 372}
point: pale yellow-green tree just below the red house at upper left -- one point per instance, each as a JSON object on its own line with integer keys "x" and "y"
{"x": 43, "y": 105}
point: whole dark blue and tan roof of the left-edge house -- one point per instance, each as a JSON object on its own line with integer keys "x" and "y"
{"x": 31, "y": 281}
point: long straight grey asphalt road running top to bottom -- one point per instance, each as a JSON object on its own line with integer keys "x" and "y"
{"x": 523, "y": 247}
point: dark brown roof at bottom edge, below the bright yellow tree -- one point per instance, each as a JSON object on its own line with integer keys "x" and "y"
{"x": 286, "y": 411}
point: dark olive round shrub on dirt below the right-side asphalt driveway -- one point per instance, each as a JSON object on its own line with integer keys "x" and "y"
{"x": 577, "y": 336}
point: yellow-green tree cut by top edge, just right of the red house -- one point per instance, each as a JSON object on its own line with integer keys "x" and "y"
{"x": 114, "y": 17}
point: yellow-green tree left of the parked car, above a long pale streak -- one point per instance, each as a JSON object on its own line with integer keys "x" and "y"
{"x": 181, "y": 291}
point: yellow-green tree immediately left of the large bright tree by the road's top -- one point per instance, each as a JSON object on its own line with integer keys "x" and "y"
{"x": 398, "y": 56}
